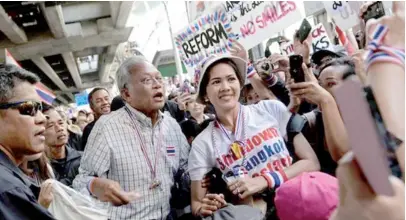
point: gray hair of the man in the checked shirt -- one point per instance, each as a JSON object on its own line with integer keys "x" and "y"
{"x": 123, "y": 72}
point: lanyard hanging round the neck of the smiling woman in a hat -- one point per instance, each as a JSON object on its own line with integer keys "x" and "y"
{"x": 239, "y": 136}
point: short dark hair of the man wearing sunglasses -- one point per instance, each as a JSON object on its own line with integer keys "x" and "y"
{"x": 10, "y": 77}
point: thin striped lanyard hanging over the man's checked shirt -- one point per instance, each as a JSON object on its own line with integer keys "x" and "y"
{"x": 152, "y": 169}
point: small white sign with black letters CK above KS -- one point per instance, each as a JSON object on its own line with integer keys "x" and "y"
{"x": 320, "y": 39}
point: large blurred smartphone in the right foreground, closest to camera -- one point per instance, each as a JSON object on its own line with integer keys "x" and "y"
{"x": 365, "y": 134}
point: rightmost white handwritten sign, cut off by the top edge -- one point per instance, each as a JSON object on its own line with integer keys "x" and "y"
{"x": 344, "y": 13}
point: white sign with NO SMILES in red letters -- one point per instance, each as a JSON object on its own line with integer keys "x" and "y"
{"x": 257, "y": 20}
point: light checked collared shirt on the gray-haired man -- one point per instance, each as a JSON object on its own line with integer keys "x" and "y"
{"x": 113, "y": 151}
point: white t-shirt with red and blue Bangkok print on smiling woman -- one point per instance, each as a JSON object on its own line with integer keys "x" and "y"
{"x": 265, "y": 149}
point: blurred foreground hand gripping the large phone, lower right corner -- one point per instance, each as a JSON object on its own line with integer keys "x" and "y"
{"x": 358, "y": 201}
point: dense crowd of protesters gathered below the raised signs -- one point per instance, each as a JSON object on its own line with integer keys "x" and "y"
{"x": 246, "y": 142}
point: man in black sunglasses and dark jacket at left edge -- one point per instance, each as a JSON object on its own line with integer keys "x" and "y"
{"x": 22, "y": 126}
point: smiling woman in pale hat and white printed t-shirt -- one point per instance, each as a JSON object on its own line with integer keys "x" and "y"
{"x": 245, "y": 142}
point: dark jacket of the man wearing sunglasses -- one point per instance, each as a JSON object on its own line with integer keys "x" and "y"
{"x": 18, "y": 195}
